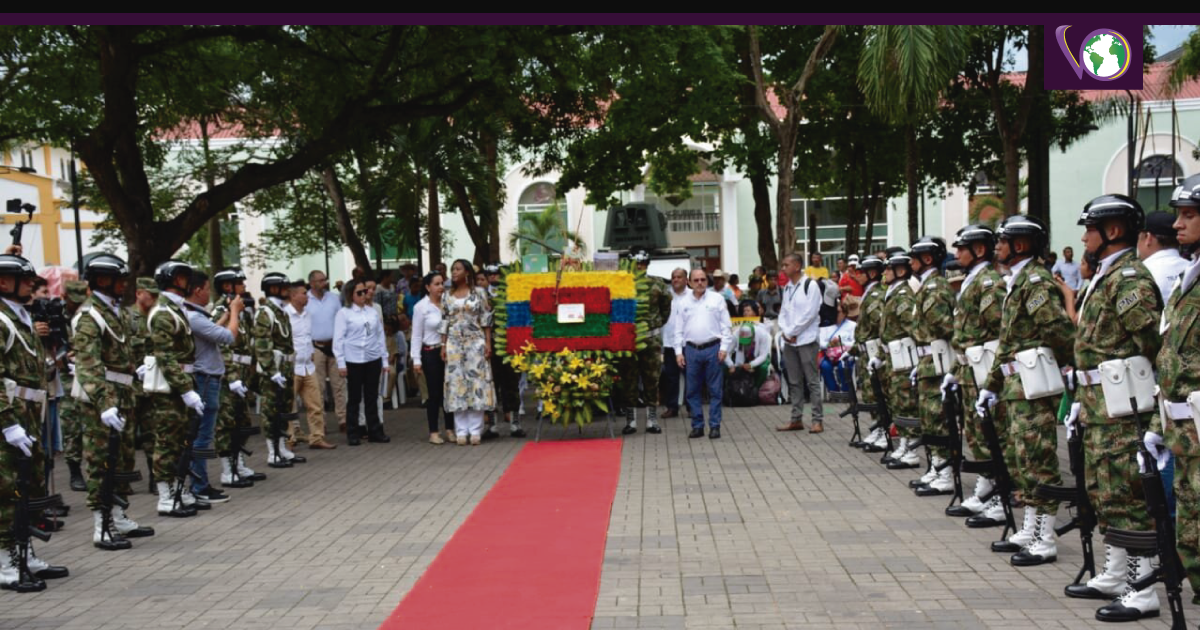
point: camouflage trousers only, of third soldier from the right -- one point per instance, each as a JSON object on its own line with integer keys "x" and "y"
{"x": 1033, "y": 447}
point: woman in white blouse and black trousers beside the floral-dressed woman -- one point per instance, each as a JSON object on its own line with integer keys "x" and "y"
{"x": 427, "y": 353}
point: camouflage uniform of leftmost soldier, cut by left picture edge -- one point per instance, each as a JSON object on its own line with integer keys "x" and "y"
{"x": 25, "y": 364}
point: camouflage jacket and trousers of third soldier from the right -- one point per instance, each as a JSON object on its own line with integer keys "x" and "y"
{"x": 1034, "y": 316}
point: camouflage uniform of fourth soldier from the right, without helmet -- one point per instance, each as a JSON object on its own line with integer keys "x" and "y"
{"x": 977, "y": 316}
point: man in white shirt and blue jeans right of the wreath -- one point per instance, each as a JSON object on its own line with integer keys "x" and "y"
{"x": 704, "y": 337}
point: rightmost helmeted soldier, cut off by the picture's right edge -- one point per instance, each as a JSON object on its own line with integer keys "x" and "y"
{"x": 1179, "y": 381}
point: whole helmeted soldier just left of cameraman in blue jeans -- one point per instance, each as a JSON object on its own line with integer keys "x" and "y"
{"x": 173, "y": 350}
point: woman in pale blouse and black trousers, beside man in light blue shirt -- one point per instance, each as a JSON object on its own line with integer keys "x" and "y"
{"x": 361, "y": 350}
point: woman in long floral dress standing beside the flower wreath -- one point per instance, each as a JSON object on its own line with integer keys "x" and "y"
{"x": 467, "y": 349}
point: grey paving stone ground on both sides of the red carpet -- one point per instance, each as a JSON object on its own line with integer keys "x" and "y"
{"x": 759, "y": 530}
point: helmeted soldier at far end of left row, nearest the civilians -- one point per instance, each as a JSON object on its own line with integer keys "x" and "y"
{"x": 275, "y": 357}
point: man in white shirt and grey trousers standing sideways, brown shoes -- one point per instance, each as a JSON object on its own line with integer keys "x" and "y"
{"x": 800, "y": 321}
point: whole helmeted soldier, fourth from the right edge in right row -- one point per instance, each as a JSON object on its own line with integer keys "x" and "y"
{"x": 977, "y": 314}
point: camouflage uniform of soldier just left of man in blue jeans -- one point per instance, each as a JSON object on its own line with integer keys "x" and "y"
{"x": 175, "y": 351}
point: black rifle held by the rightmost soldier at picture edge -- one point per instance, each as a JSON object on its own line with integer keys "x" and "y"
{"x": 1171, "y": 571}
